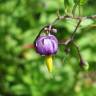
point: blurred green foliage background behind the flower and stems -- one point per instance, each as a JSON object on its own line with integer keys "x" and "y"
{"x": 22, "y": 72}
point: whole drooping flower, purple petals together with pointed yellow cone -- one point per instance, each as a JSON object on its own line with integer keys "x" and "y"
{"x": 47, "y": 45}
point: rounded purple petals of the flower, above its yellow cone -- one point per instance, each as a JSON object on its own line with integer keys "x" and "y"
{"x": 46, "y": 45}
